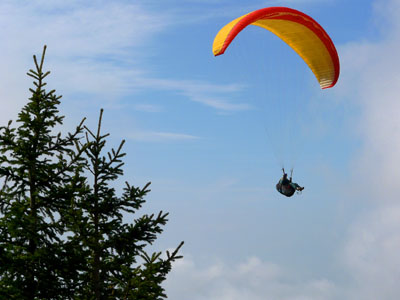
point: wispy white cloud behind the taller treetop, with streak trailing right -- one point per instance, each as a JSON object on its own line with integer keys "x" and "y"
{"x": 94, "y": 49}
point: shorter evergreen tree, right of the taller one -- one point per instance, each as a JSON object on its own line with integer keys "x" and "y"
{"x": 111, "y": 247}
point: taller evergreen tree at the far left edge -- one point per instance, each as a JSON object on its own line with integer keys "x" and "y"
{"x": 39, "y": 173}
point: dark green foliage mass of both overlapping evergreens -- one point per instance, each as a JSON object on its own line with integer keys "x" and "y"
{"x": 61, "y": 237}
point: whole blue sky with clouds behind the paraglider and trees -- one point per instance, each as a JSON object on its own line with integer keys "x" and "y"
{"x": 206, "y": 132}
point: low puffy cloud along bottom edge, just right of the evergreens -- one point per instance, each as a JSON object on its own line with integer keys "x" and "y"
{"x": 252, "y": 279}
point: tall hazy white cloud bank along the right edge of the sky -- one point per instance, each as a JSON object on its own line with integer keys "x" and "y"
{"x": 370, "y": 79}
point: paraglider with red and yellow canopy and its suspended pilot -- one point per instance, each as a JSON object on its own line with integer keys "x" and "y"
{"x": 304, "y": 35}
